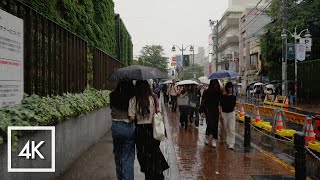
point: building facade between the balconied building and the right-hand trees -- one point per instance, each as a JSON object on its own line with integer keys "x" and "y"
{"x": 251, "y": 63}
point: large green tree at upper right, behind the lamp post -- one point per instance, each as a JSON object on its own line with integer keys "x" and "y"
{"x": 302, "y": 14}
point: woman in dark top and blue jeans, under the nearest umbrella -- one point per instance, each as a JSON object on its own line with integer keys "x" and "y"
{"x": 123, "y": 130}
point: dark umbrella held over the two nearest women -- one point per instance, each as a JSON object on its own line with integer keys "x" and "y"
{"x": 136, "y": 72}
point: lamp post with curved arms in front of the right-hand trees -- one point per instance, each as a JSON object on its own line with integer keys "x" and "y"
{"x": 296, "y": 36}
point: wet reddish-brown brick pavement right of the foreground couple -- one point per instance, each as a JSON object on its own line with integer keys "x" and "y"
{"x": 199, "y": 161}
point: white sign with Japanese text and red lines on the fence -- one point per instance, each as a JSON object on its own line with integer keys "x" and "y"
{"x": 11, "y": 59}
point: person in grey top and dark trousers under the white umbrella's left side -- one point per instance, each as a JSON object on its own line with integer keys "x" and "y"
{"x": 183, "y": 103}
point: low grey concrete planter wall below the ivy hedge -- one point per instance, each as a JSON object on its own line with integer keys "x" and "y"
{"x": 73, "y": 137}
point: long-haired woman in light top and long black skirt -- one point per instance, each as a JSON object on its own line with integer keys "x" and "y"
{"x": 142, "y": 109}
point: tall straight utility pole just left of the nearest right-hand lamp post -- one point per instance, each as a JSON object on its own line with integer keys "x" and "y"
{"x": 284, "y": 49}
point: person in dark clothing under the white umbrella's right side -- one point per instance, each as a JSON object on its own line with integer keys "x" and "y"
{"x": 194, "y": 98}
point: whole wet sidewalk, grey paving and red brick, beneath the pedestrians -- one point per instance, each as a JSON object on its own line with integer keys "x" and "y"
{"x": 187, "y": 155}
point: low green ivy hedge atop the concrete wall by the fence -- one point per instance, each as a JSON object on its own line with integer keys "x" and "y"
{"x": 44, "y": 111}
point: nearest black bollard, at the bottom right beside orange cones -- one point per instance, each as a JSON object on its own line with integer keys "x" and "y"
{"x": 299, "y": 156}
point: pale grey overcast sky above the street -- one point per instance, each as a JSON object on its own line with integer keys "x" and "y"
{"x": 168, "y": 22}
